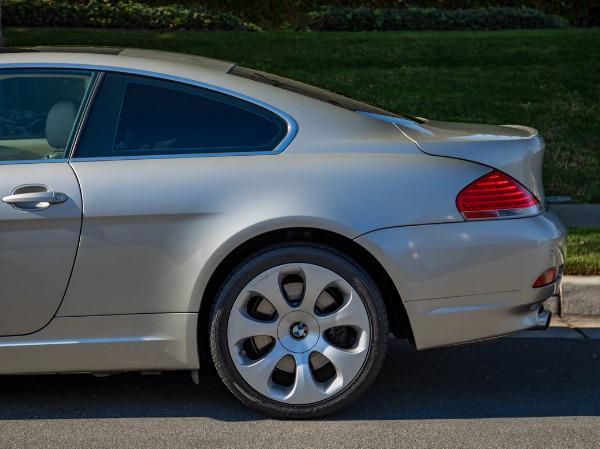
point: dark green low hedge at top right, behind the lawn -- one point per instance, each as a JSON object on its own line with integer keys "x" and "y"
{"x": 331, "y": 18}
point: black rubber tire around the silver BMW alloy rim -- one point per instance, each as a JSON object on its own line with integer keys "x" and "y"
{"x": 279, "y": 255}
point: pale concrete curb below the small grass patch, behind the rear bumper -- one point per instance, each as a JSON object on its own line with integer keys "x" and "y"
{"x": 580, "y": 295}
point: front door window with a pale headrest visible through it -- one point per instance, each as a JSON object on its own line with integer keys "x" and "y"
{"x": 38, "y": 111}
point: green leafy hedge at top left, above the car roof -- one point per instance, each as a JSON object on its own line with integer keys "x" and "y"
{"x": 124, "y": 14}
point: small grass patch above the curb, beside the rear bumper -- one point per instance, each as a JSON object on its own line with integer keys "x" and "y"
{"x": 583, "y": 252}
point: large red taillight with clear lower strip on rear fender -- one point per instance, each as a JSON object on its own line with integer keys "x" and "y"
{"x": 496, "y": 195}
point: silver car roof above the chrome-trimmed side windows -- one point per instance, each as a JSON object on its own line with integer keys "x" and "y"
{"x": 157, "y": 55}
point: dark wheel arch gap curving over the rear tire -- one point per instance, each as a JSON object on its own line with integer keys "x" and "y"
{"x": 398, "y": 319}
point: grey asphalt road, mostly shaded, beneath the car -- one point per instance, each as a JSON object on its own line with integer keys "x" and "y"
{"x": 518, "y": 392}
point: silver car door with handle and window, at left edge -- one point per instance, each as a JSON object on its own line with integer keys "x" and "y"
{"x": 40, "y": 211}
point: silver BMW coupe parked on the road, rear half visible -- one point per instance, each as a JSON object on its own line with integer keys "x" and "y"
{"x": 160, "y": 209}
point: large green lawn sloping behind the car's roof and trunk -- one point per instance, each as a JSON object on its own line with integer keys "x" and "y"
{"x": 548, "y": 79}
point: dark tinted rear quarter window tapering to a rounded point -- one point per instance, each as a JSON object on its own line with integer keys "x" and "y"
{"x": 135, "y": 116}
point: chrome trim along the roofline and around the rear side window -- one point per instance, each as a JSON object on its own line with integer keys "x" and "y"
{"x": 291, "y": 123}
